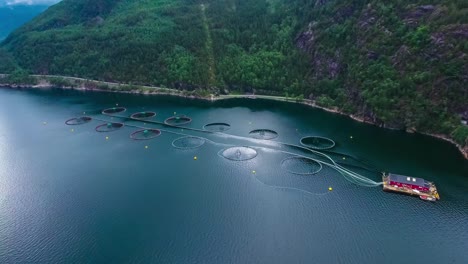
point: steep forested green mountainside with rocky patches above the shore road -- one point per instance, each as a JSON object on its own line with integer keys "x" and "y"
{"x": 400, "y": 64}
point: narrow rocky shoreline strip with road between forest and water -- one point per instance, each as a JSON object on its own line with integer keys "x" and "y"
{"x": 153, "y": 90}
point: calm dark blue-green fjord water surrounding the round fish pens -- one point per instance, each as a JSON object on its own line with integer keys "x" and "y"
{"x": 74, "y": 197}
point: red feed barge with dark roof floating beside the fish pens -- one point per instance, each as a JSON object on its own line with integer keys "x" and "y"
{"x": 426, "y": 190}
